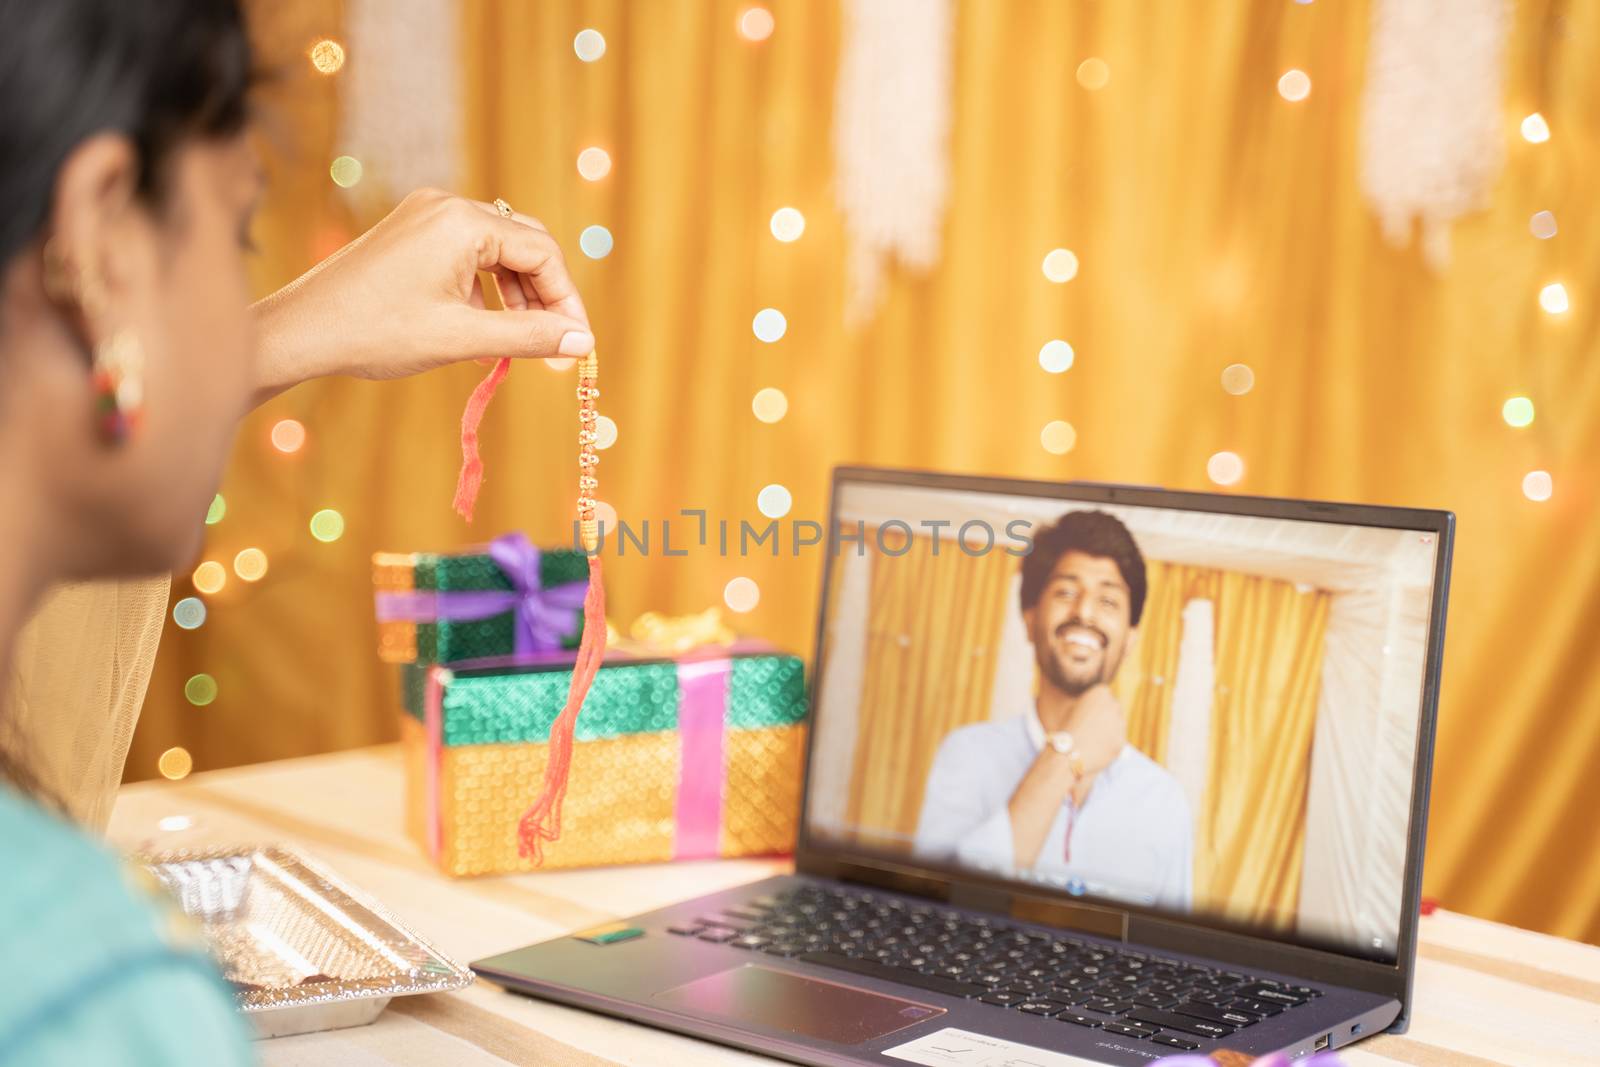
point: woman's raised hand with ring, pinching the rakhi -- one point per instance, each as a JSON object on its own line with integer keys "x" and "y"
{"x": 406, "y": 298}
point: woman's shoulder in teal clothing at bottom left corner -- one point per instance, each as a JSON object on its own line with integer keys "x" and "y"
{"x": 98, "y": 969}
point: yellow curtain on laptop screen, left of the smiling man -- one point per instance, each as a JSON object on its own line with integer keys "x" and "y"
{"x": 934, "y": 634}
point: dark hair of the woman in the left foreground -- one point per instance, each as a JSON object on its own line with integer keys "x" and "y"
{"x": 159, "y": 71}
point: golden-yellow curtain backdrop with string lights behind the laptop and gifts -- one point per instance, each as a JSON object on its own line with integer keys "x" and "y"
{"x": 1214, "y": 223}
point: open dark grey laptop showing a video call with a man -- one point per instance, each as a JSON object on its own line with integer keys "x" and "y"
{"x": 1095, "y": 775}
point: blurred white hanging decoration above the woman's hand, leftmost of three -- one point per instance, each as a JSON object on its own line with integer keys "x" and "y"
{"x": 401, "y": 95}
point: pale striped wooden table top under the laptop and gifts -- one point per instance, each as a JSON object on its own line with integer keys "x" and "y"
{"x": 1487, "y": 994}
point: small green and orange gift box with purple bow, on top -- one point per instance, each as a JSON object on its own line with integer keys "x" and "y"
{"x": 497, "y": 601}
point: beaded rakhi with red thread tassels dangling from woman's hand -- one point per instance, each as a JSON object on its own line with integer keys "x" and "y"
{"x": 543, "y": 820}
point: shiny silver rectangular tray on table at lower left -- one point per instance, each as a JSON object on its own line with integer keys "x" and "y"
{"x": 303, "y": 949}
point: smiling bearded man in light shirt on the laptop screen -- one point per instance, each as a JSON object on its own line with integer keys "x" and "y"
{"x": 1058, "y": 789}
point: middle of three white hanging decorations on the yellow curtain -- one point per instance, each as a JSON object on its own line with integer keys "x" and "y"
{"x": 892, "y": 124}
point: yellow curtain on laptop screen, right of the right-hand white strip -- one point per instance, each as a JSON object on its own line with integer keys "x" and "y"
{"x": 1252, "y": 844}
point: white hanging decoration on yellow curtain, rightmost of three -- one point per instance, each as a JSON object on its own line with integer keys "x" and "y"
{"x": 1433, "y": 140}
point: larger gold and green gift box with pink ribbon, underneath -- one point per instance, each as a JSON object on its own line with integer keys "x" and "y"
{"x": 687, "y": 757}
